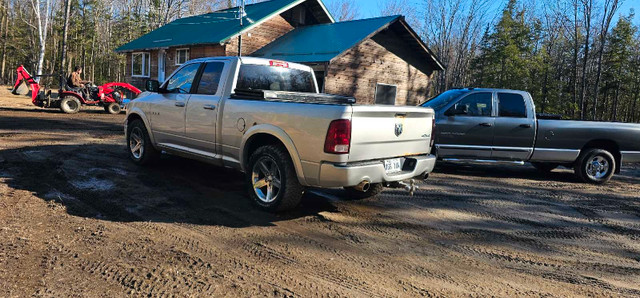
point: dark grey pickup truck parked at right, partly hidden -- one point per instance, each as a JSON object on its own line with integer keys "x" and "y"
{"x": 500, "y": 126}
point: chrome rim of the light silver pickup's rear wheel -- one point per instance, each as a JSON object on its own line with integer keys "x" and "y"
{"x": 266, "y": 179}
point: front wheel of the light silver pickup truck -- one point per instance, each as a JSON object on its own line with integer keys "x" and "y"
{"x": 140, "y": 148}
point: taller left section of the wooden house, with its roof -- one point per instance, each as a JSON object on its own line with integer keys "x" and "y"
{"x": 158, "y": 53}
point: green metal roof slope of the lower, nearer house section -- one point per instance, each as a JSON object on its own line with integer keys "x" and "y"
{"x": 322, "y": 43}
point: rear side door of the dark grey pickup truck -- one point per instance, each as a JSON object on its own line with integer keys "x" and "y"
{"x": 515, "y": 130}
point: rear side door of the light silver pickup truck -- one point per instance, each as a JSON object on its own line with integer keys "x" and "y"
{"x": 203, "y": 107}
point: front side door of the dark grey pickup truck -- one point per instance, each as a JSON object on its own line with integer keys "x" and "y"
{"x": 465, "y": 130}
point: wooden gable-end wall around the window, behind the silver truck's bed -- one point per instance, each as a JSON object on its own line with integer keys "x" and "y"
{"x": 358, "y": 71}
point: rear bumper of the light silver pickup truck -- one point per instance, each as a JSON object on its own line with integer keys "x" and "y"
{"x": 333, "y": 175}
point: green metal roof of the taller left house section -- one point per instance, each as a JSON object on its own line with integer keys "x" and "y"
{"x": 211, "y": 28}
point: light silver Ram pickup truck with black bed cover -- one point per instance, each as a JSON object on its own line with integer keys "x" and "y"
{"x": 267, "y": 119}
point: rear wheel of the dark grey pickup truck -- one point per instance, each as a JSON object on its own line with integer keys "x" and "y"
{"x": 595, "y": 166}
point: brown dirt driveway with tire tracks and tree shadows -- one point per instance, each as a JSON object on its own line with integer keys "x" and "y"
{"x": 78, "y": 219}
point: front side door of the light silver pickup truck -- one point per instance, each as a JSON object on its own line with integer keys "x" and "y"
{"x": 168, "y": 109}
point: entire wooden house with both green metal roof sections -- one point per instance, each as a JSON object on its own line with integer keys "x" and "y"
{"x": 378, "y": 60}
